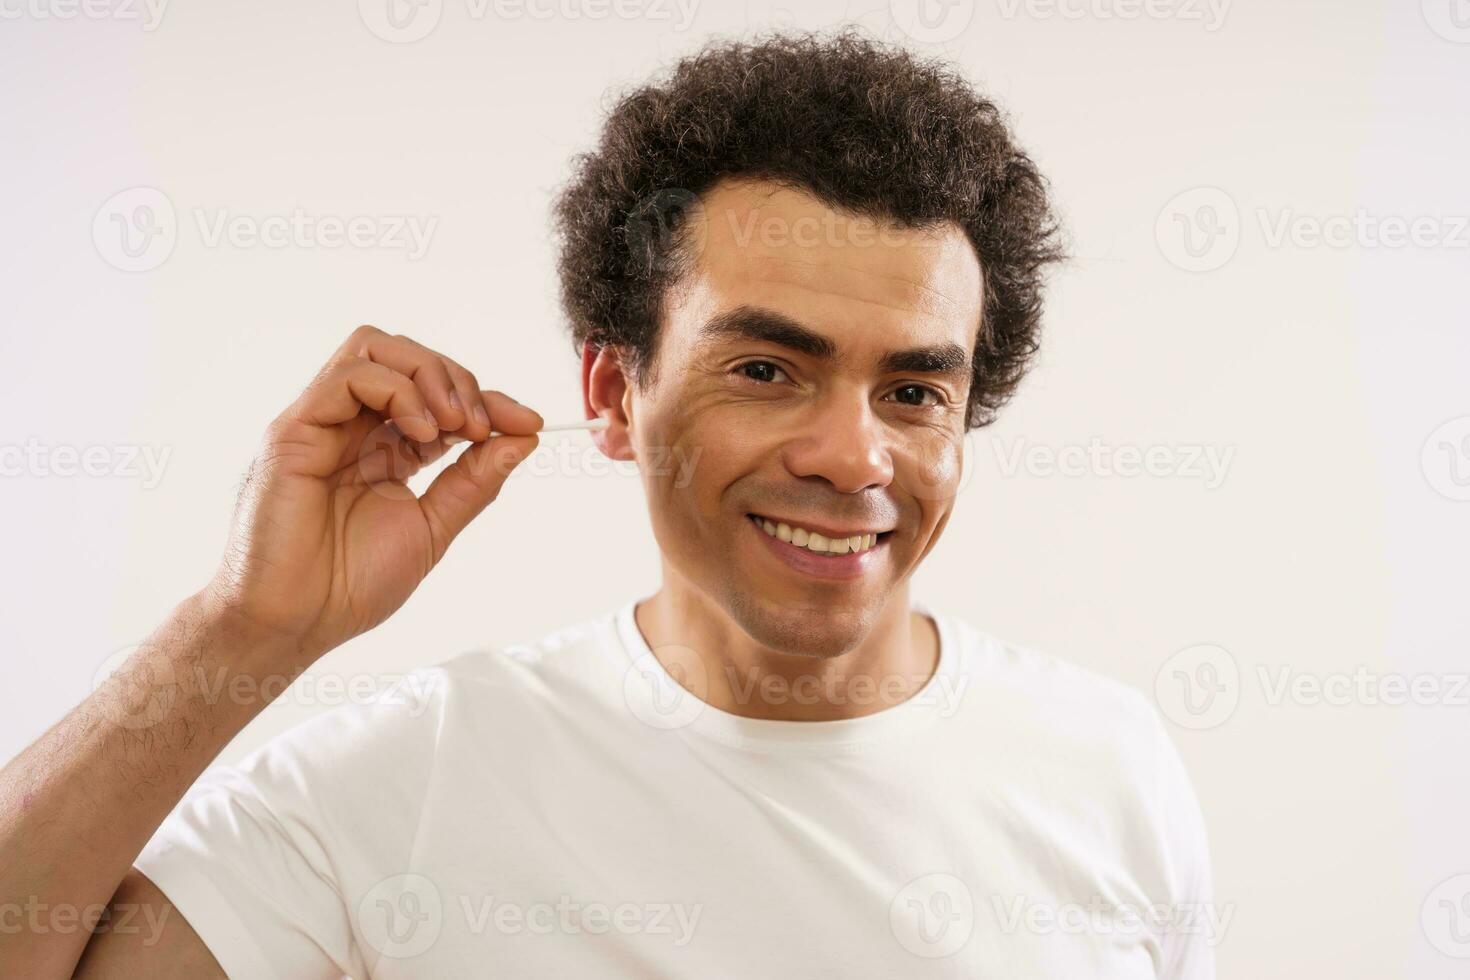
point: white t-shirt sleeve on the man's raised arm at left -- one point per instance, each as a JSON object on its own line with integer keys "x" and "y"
{"x": 264, "y": 859}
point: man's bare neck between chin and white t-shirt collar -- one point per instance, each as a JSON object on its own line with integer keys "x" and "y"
{"x": 708, "y": 652}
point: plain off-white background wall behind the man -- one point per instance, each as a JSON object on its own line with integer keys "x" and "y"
{"x": 1268, "y": 211}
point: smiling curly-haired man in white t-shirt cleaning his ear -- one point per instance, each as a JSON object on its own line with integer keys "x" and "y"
{"x": 806, "y": 267}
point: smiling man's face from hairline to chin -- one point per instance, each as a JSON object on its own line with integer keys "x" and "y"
{"x": 814, "y": 370}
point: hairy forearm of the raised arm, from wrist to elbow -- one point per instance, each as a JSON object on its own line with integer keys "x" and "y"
{"x": 80, "y": 804}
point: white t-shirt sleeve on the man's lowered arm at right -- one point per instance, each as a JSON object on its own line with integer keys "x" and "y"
{"x": 1196, "y": 923}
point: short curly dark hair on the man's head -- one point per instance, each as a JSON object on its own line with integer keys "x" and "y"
{"x": 867, "y": 129}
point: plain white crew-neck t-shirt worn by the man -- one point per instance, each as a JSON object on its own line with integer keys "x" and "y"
{"x": 567, "y": 809}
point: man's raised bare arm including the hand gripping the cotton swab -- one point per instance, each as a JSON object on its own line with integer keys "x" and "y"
{"x": 329, "y": 543}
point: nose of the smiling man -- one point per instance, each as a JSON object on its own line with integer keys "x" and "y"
{"x": 843, "y": 443}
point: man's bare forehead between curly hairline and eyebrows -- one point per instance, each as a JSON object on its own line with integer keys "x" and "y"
{"x": 846, "y": 275}
